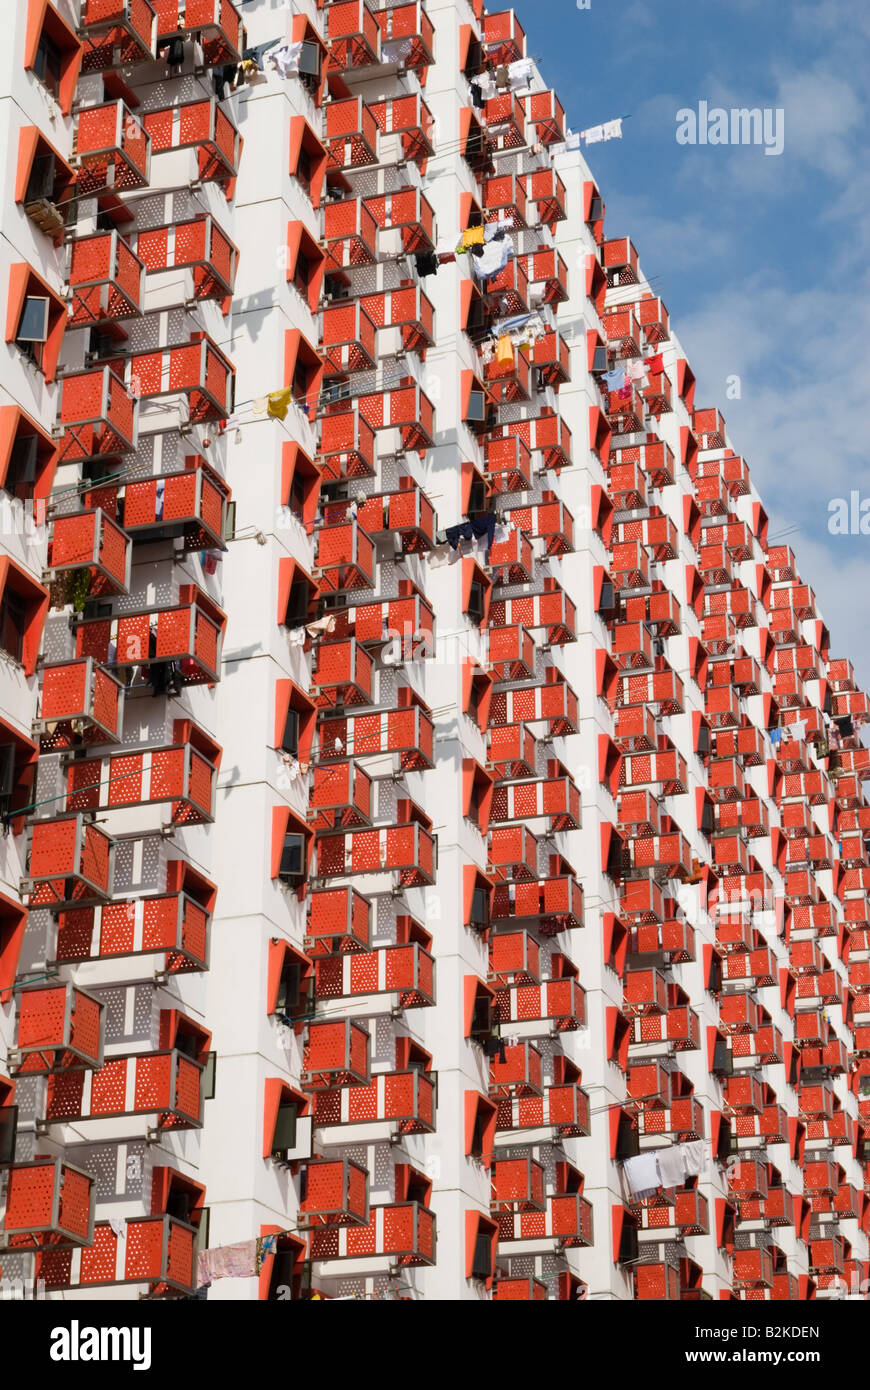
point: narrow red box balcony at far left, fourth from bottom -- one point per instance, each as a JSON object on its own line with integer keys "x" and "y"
{"x": 80, "y": 694}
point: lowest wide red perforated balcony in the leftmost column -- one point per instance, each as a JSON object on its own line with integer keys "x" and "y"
{"x": 154, "y": 1250}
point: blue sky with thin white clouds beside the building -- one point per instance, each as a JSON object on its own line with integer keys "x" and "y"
{"x": 762, "y": 261}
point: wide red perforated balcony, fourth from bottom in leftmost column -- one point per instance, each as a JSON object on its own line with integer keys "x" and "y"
{"x": 181, "y": 775}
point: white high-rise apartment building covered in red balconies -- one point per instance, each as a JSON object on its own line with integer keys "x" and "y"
{"x": 434, "y": 822}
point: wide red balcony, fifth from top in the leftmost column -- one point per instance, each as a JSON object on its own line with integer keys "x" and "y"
{"x": 190, "y": 507}
